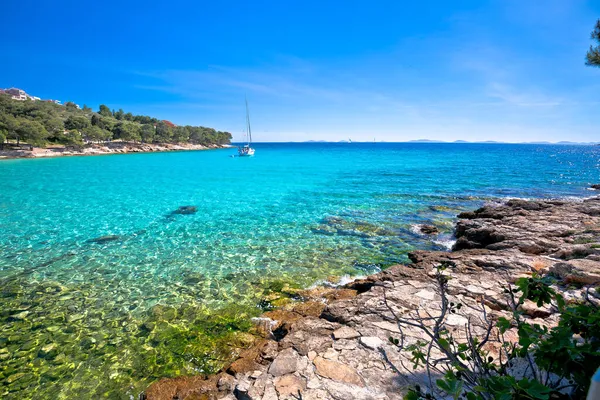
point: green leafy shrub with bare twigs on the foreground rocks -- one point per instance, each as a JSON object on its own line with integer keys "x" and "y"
{"x": 565, "y": 356}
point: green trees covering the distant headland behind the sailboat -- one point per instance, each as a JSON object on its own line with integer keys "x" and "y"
{"x": 40, "y": 123}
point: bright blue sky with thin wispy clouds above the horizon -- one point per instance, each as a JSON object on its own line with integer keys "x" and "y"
{"x": 392, "y": 70}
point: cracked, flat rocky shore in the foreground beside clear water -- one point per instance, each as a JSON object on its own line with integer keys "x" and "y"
{"x": 335, "y": 343}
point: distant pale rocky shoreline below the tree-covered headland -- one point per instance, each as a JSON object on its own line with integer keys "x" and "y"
{"x": 106, "y": 148}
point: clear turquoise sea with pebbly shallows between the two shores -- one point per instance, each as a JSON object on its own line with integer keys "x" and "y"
{"x": 162, "y": 294}
